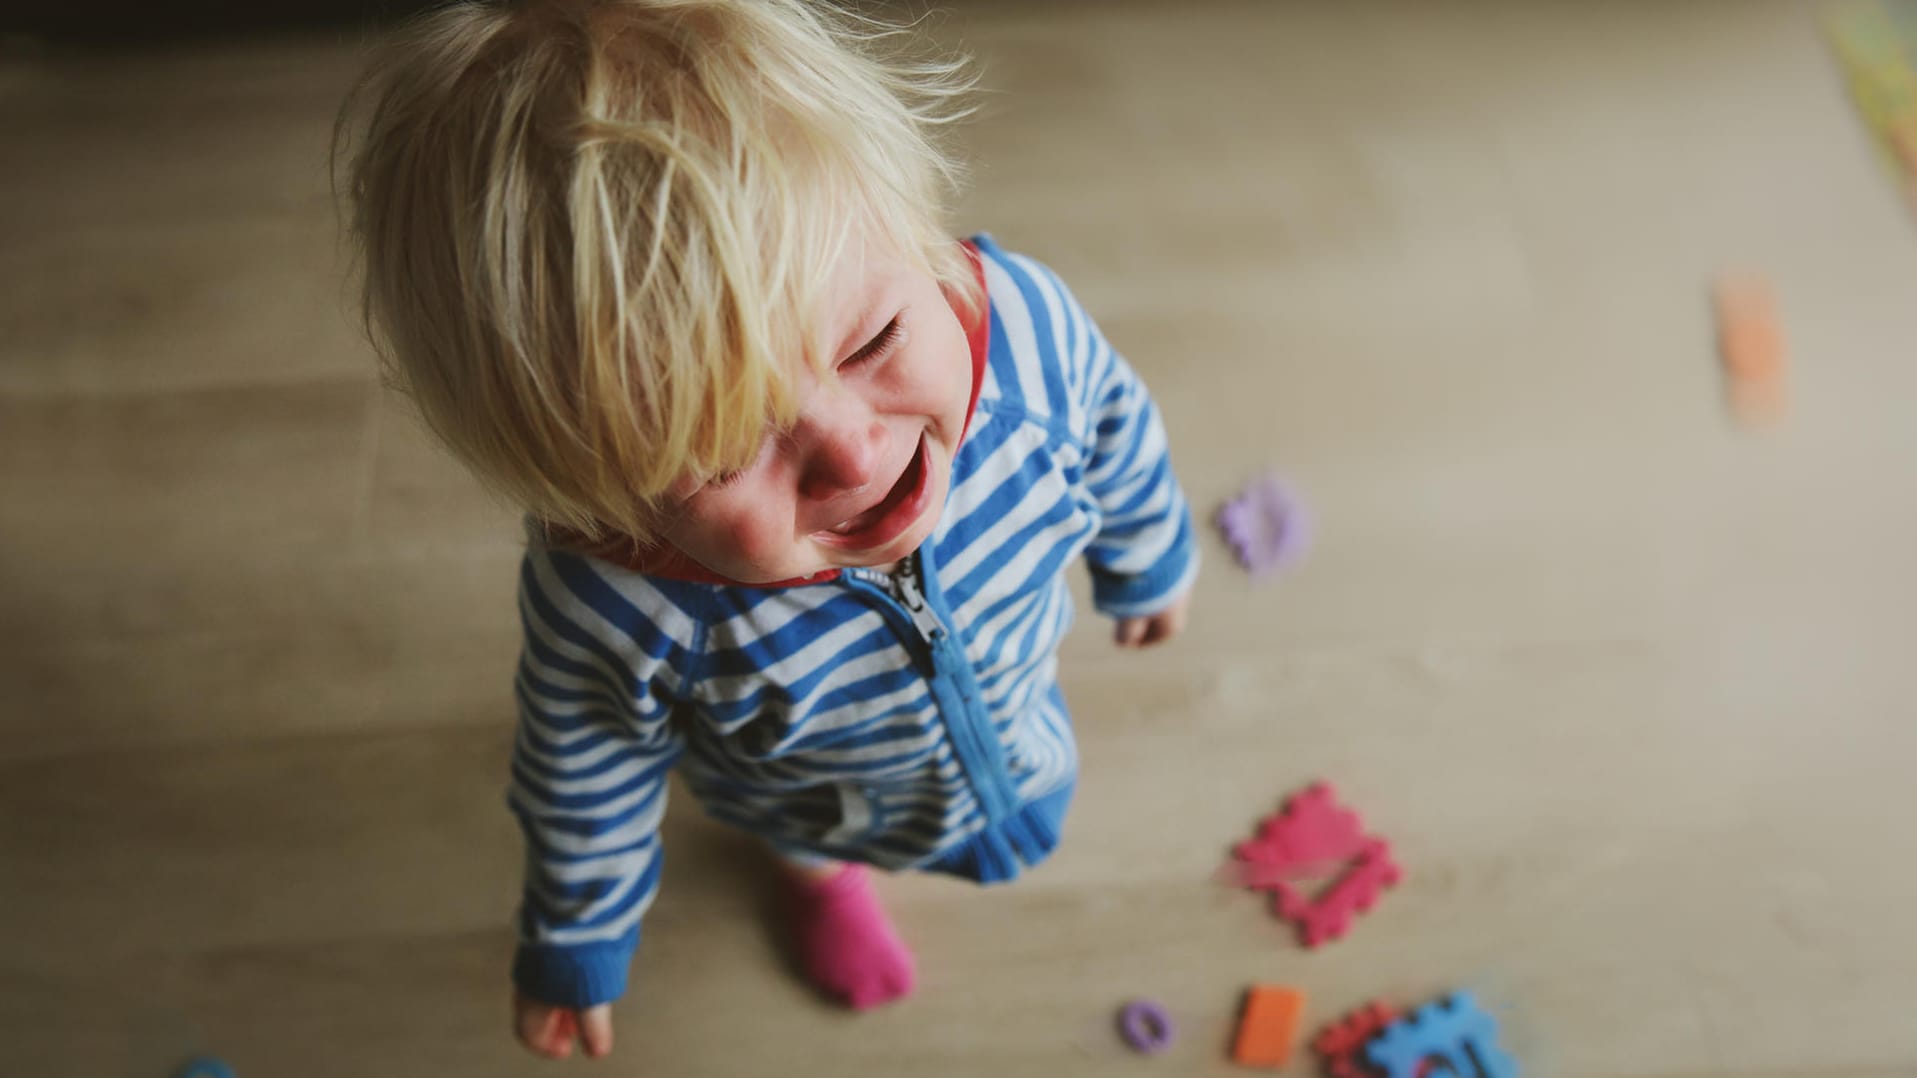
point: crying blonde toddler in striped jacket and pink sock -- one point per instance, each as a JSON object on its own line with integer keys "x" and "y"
{"x": 802, "y": 473}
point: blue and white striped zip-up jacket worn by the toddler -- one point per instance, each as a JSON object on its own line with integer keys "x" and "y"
{"x": 904, "y": 722}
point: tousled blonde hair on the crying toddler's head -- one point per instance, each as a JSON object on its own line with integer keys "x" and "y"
{"x": 595, "y": 233}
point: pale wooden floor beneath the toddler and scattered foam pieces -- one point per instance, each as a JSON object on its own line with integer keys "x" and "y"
{"x": 1632, "y": 691}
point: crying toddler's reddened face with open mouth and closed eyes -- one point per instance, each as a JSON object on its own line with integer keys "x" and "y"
{"x": 862, "y": 477}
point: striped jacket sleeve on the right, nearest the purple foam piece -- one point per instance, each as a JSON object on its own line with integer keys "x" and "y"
{"x": 1143, "y": 555}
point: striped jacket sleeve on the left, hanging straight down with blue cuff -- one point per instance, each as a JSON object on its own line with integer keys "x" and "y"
{"x": 599, "y": 678}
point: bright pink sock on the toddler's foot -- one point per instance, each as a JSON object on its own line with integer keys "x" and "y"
{"x": 852, "y": 952}
